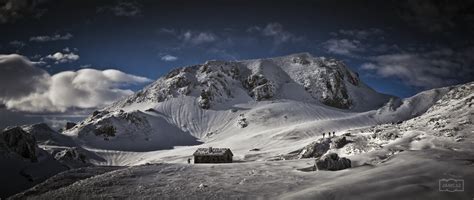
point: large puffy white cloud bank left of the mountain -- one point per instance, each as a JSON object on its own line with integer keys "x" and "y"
{"x": 38, "y": 91}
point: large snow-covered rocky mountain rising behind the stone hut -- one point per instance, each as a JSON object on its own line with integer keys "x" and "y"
{"x": 193, "y": 104}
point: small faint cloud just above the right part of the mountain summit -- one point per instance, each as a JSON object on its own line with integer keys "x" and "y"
{"x": 343, "y": 46}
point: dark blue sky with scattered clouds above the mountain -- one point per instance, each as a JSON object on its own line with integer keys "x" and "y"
{"x": 398, "y": 47}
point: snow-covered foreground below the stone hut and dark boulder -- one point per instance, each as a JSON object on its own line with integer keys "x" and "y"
{"x": 408, "y": 175}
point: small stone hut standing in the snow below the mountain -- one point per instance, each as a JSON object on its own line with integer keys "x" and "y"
{"x": 213, "y": 155}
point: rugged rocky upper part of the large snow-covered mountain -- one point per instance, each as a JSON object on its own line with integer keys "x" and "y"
{"x": 299, "y": 77}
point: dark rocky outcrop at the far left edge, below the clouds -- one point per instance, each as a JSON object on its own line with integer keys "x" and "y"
{"x": 20, "y": 142}
